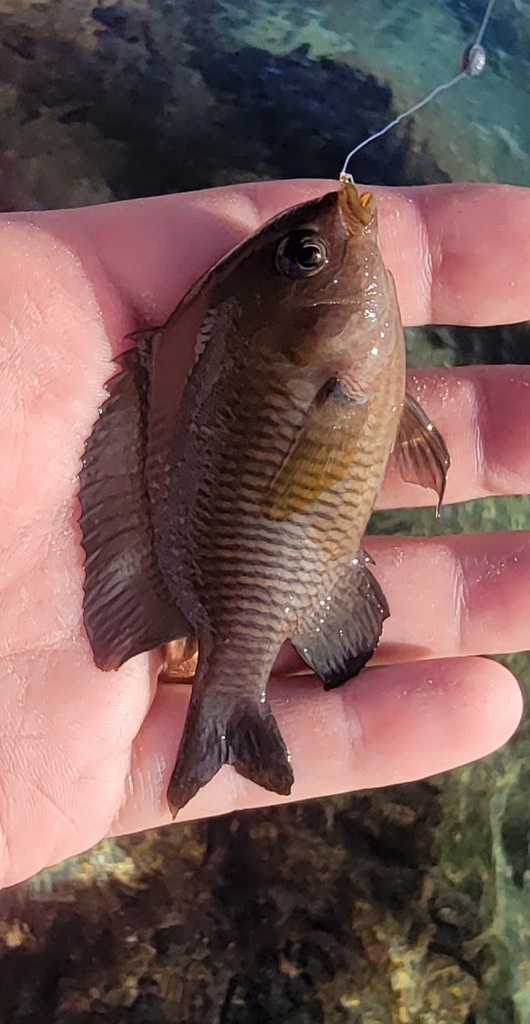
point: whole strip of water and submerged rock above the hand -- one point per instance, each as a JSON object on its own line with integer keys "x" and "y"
{"x": 105, "y": 101}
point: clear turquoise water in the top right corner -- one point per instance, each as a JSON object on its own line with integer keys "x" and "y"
{"x": 480, "y": 131}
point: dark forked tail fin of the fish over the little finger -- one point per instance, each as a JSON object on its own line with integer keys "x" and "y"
{"x": 235, "y": 732}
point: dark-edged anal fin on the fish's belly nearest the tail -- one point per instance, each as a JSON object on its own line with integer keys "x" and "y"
{"x": 343, "y": 632}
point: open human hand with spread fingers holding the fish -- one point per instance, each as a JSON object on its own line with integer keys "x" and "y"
{"x": 84, "y": 754}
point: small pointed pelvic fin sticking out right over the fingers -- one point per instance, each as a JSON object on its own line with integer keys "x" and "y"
{"x": 421, "y": 452}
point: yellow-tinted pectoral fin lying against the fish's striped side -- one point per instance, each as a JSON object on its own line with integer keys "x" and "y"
{"x": 322, "y": 453}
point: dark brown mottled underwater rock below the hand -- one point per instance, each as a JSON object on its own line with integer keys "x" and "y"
{"x": 213, "y": 922}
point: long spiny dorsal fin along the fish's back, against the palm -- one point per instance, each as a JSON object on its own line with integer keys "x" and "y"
{"x": 127, "y": 609}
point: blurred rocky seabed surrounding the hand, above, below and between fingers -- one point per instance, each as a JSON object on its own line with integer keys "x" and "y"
{"x": 409, "y": 906}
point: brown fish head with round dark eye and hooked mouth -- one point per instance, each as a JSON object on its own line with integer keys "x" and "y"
{"x": 316, "y": 272}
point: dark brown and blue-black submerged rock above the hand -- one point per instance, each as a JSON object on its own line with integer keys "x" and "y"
{"x": 134, "y": 101}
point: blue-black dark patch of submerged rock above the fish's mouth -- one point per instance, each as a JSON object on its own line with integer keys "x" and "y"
{"x": 296, "y": 116}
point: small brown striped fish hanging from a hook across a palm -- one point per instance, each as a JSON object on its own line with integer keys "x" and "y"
{"x": 224, "y": 509}
